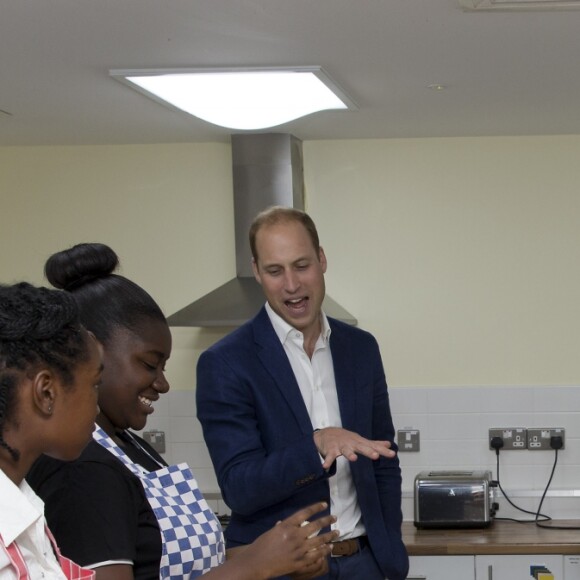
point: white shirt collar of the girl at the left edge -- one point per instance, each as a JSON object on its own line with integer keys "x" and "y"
{"x": 20, "y": 508}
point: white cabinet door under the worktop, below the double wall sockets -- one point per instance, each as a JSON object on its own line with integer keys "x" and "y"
{"x": 518, "y": 567}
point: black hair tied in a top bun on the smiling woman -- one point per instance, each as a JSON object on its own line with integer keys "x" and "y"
{"x": 106, "y": 301}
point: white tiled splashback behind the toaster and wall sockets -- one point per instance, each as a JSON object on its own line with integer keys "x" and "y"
{"x": 453, "y": 423}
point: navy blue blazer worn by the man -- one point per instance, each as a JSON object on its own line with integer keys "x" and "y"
{"x": 259, "y": 434}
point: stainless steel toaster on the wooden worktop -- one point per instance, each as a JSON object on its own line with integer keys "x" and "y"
{"x": 454, "y": 499}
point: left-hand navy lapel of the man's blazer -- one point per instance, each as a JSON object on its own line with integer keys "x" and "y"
{"x": 272, "y": 355}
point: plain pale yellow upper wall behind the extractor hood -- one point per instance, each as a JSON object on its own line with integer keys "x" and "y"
{"x": 460, "y": 255}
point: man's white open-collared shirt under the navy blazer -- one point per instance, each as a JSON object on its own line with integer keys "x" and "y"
{"x": 315, "y": 377}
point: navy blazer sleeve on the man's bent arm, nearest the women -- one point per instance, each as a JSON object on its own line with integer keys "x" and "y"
{"x": 260, "y": 457}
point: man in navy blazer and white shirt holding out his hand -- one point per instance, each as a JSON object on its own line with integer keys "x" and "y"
{"x": 295, "y": 410}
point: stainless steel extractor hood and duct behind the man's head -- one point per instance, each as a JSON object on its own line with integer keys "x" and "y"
{"x": 267, "y": 170}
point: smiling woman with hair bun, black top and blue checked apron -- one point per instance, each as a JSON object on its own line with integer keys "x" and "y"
{"x": 114, "y": 510}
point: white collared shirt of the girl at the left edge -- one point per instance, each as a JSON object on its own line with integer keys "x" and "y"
{"x": 22, "y": 521}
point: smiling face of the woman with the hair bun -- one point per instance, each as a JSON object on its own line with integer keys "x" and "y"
{"x": 134, "y": 374}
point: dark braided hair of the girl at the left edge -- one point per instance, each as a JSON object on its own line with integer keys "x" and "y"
{"x": 38, "y": 327}
